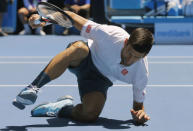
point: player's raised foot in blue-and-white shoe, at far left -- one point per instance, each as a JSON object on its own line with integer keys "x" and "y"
{"x": 27, "y": 96}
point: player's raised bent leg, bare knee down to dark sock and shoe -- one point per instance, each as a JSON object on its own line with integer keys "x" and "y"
{"x": 72, "y": 56}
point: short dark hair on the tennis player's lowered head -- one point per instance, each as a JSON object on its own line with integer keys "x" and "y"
{"x": 141, "y": 40}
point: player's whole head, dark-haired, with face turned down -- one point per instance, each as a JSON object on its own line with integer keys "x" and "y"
{"x": 138, "y": 46}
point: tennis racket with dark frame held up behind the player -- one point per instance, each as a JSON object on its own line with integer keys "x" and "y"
{"x": 53, "y": 14}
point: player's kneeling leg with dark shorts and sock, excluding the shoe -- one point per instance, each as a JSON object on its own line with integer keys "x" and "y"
{"x": 93, "y": 87}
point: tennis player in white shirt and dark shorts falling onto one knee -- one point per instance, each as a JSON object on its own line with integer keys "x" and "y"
{"x": 110, "y": 54}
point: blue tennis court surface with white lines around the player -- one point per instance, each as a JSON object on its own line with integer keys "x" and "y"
{"x": 169, "y": 100}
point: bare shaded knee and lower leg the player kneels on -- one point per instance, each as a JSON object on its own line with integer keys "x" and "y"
{"x": 89, "y": 110}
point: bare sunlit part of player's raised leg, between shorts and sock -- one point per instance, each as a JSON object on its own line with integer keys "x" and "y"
{"x": 72, "y": 56}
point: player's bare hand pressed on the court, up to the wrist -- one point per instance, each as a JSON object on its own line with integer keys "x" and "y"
{"x": 139, "y": 116}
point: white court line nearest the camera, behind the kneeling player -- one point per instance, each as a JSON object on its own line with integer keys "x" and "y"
{"x": 113, "y": 85}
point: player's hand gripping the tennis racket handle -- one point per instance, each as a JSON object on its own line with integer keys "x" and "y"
{"x": 32, "y": 21}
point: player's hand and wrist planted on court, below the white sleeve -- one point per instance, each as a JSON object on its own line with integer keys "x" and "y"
{"x": 138, "y": 113}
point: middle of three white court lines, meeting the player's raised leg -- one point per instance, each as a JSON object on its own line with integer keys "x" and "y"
{"x": 46, "y": 62}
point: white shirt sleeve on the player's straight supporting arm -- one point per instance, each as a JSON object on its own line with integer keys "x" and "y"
{"x": 140, "y": 84}
